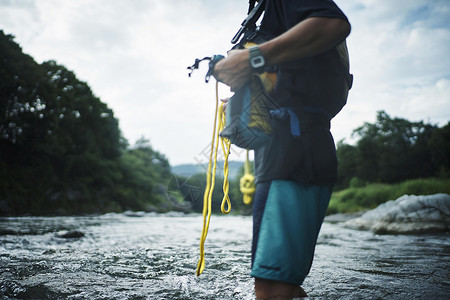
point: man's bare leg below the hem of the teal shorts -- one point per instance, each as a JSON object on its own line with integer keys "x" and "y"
{"x": 269, "y": 289}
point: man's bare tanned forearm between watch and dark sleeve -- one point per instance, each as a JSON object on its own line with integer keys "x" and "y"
{"x": 308, "y": 38}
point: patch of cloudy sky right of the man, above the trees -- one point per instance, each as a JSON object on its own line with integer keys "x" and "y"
{"x": 398, "y": 55}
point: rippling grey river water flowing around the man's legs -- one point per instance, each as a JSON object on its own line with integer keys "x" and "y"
{"x": 153, "y": 256}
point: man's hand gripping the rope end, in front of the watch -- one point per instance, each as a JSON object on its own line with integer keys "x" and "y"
{"x": 234, "y": 70}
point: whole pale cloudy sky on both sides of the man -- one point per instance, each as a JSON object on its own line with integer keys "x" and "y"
{"x": 134, "y": 55}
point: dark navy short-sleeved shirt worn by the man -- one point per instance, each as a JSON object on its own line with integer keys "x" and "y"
{"x": 315, "y": 88}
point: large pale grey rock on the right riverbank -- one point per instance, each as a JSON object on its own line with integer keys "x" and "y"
{"x": 408, "y": 214}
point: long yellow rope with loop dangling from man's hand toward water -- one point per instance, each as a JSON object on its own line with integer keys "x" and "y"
{"x": 210, "y": 178}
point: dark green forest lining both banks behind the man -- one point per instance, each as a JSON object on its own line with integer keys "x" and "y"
{"x": 62, "y": 151}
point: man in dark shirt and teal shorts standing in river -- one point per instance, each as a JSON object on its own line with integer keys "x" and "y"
{"x": 304, "y": 40}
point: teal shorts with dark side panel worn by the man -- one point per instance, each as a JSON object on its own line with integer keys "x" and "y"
{"x": 287, "y": 217}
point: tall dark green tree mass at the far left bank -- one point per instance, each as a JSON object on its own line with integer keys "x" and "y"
{"x": 59, "y": 144}
